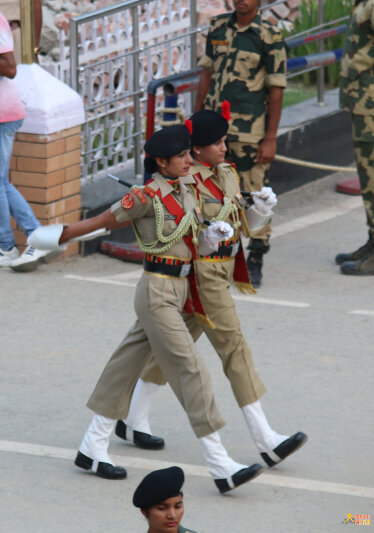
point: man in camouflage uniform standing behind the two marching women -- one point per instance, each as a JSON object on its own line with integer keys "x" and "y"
{"x": 245, "y": 63}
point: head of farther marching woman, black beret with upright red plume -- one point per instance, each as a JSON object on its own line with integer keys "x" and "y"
{"x": 209, "y": 135}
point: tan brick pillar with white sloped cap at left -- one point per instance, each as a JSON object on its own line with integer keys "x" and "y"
{"x": 45, "y": 165}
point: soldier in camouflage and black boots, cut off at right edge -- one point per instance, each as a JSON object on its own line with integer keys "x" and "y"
{"x": 357, "y": 96}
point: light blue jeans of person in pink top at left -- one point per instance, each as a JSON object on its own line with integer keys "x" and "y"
{"x": 12, "y": 203}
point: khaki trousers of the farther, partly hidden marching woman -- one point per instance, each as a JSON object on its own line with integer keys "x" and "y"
{"x": 227, "y": 339}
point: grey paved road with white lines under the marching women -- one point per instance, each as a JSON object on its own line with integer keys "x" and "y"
{"x": 311, "y": 332}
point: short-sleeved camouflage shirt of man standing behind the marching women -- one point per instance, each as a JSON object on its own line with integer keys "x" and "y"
{"x": 244, "y": 63}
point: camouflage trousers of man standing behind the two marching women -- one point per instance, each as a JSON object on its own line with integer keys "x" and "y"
{"x": 253, "y": 177}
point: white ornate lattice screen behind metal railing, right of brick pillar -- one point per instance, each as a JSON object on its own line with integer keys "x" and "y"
{"x": 114, "y": 53}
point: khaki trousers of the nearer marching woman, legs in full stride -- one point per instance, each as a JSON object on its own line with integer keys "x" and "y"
{"x": 161, "y": 330}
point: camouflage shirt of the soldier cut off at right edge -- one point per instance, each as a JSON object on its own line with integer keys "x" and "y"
{"x": 357, "y": 66}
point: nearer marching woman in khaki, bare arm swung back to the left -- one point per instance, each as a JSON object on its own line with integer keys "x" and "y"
{"x": 165, "y": 220}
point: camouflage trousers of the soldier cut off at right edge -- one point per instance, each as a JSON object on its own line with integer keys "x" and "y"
{"x": 363, "y": 144}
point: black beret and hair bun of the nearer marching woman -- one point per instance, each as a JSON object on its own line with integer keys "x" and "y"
{"x": 165, "y": 143}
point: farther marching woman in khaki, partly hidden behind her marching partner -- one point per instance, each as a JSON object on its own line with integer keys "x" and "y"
{"x": 219, "y": 193}
